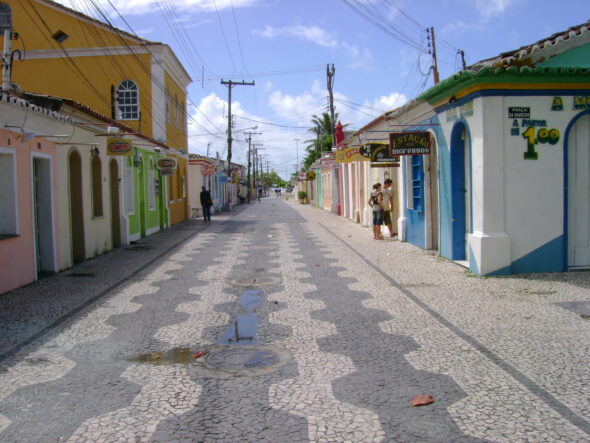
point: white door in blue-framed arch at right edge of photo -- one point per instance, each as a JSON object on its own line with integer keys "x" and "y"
{"x": 579, "y": 194}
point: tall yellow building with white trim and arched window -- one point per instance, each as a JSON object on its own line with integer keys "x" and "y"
{"x": 139, "y": 83}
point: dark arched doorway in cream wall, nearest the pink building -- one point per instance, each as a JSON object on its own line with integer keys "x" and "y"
{"x": 76, "y": 208}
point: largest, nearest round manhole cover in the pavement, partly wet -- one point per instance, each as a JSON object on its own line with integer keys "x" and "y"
{"x": 232, "y": 361}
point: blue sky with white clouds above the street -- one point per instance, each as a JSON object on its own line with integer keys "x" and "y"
{"x": 379, "y": 50}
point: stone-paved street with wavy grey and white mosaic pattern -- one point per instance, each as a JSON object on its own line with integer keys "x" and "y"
{"x": 304, "y": 329}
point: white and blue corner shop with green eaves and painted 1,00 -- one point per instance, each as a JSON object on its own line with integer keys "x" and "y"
{"x": 504, "y": 187}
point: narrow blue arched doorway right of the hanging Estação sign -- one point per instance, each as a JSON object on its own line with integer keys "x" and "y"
{"x": 460, "y": 192}
